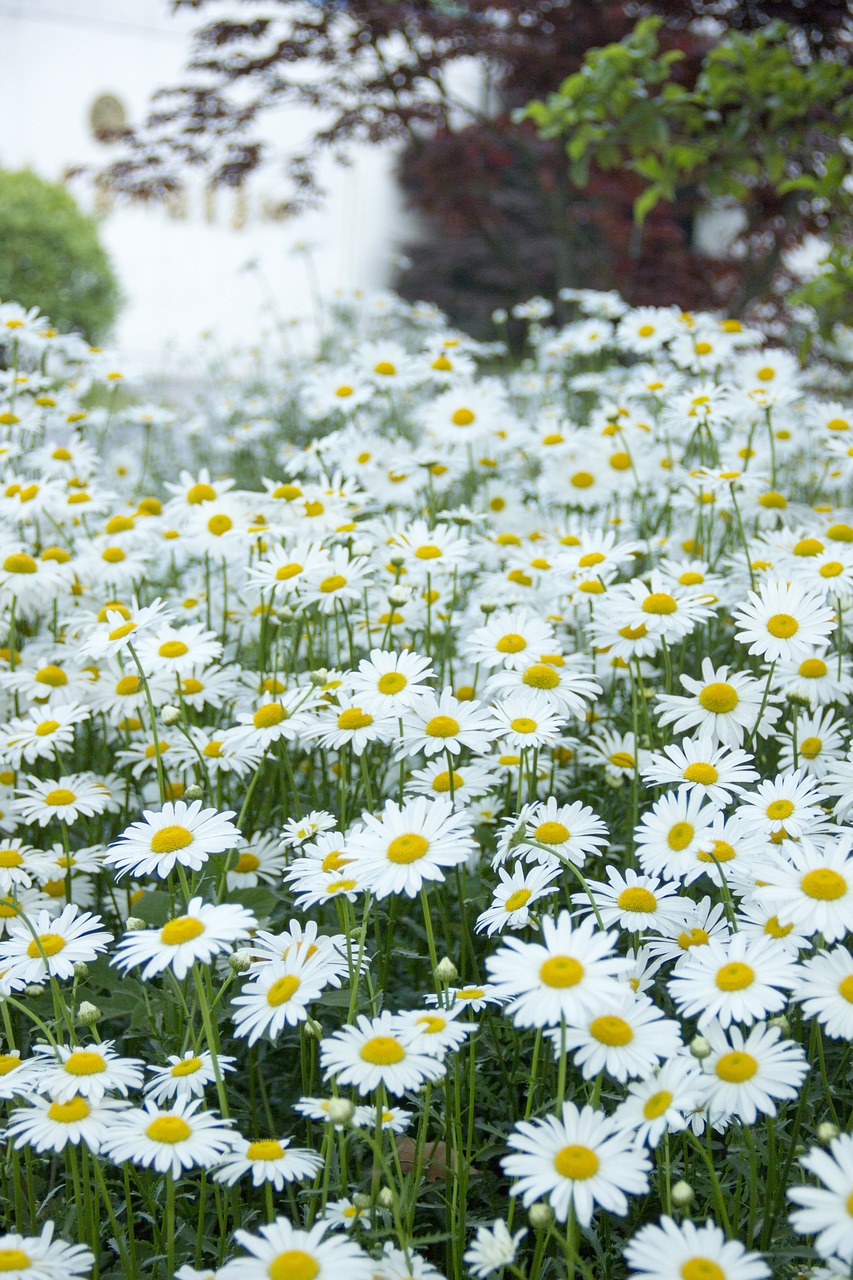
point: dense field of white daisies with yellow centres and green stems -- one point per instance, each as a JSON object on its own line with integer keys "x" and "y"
{"x": 427, "y": 808}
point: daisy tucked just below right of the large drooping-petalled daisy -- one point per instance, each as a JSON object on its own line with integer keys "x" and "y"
{"x": 627, "y": 1037}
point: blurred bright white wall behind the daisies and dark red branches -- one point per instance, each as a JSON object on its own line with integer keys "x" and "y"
{"x": 183, "y": 277}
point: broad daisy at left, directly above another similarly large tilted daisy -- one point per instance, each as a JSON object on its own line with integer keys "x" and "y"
{"x": 180, "y": 834}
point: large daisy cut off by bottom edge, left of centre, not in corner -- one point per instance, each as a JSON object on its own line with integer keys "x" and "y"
{"x": 284, "y": 1251}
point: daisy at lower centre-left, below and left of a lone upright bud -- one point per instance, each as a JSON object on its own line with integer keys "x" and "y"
{"x": 376, "y": 1052}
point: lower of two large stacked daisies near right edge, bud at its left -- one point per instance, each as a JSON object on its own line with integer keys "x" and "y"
{"x": 743, "y": 1077}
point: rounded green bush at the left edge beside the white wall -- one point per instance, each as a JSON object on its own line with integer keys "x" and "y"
{"x": 51, "y": 257}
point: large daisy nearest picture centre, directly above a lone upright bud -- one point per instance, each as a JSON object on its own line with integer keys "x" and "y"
{"x": 409, "y": 845}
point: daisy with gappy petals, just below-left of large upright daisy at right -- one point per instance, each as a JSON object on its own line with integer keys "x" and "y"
{"x": 723, "y": 706}
